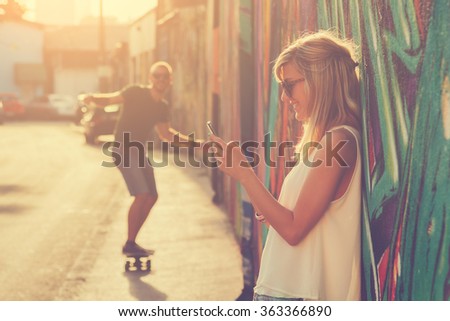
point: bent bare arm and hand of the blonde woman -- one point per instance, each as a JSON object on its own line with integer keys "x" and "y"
{"x": 318, "y": 189}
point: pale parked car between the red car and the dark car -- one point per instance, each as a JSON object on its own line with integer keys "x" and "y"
{"x": 52, "y": 106}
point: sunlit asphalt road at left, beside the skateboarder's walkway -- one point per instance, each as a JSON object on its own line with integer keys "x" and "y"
{"x": 54, "y": 196}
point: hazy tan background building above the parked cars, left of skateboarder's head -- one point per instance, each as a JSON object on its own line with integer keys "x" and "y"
{"x": 73, "y": 59}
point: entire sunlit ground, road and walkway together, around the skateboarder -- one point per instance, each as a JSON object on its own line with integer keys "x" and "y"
{"x": 63, "y": 222}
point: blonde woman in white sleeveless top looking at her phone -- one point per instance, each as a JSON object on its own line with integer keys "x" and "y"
{"x": 312, "y": 250}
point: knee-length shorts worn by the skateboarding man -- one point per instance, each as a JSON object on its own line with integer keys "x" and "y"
{"x": 138, "y": 175}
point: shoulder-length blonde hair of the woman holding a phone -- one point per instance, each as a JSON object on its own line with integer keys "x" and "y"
{"x": 328, "y": 65}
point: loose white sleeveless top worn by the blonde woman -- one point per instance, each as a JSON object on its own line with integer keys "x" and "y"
{"x": 325, "y": 265}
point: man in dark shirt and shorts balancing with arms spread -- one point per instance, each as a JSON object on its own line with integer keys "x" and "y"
{"x": 143, "y": 108}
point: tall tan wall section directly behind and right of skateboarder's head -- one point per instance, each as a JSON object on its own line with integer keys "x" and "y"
{"x": 182, "y": 35}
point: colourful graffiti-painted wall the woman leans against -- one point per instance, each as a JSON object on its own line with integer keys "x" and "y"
{"x": 404, "y": 84}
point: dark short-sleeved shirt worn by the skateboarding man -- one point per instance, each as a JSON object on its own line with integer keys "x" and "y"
{"x": 139, "y": 114}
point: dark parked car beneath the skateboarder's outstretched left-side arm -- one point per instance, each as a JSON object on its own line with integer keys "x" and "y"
{"x": 98, "y": 121}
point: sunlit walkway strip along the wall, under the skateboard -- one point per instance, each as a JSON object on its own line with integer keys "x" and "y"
{"x": 197, "y": 256}
